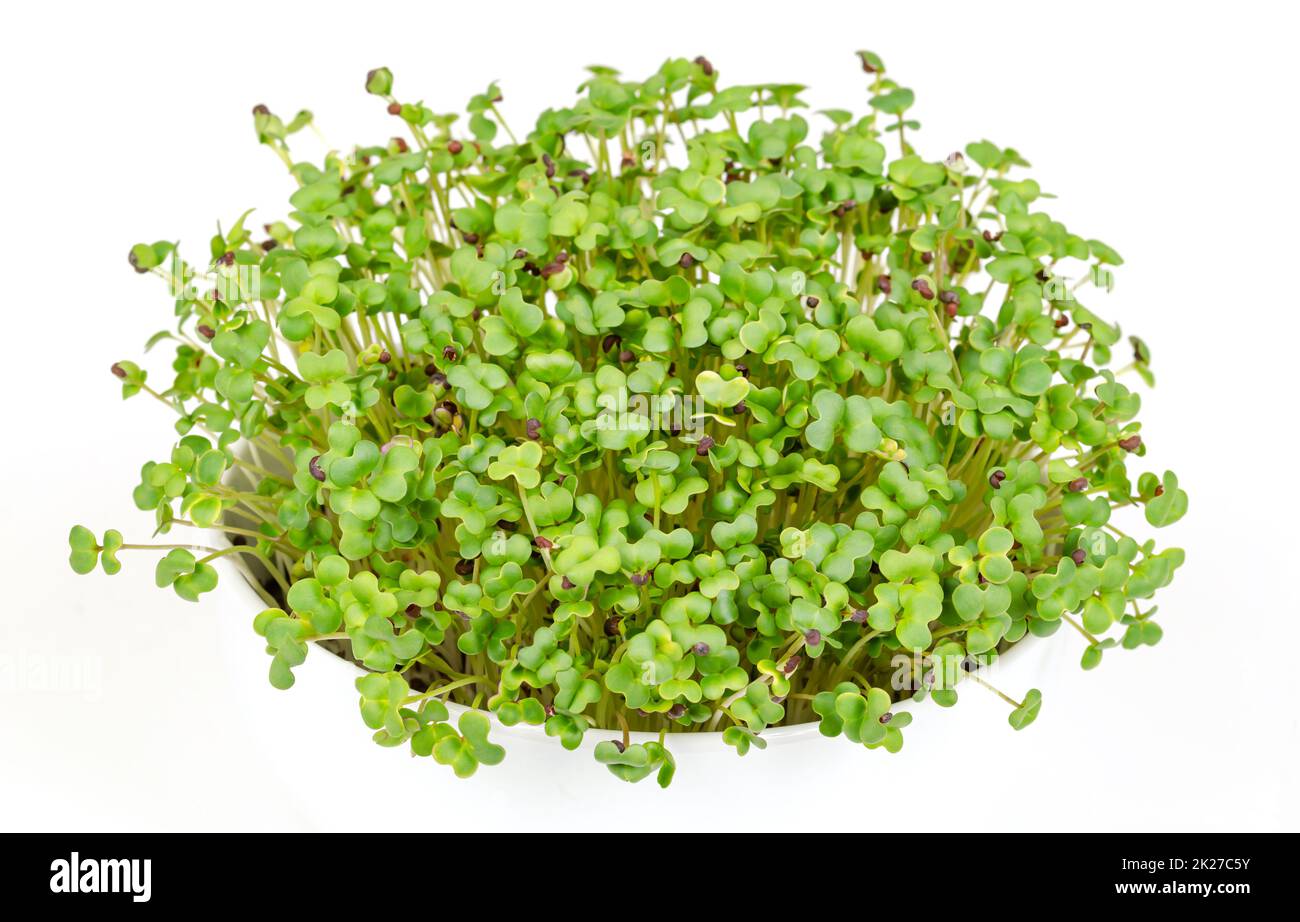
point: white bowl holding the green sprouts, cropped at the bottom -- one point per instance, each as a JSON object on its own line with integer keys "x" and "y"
{"x": 320, "y": 756}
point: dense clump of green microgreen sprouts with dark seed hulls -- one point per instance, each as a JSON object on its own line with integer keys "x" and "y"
{"x": 688, "y": 410}
